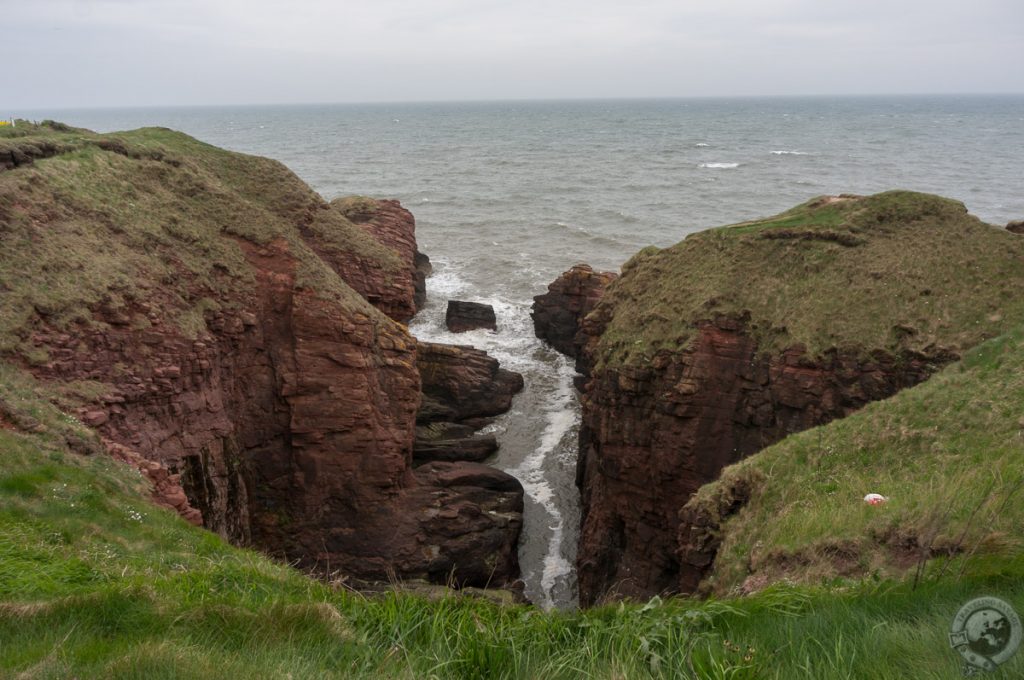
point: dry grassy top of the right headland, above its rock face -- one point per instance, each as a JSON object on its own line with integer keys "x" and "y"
{"x": 895, "y": 271}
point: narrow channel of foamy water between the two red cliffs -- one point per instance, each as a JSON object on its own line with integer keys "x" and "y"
{"x": 537, "y": 438}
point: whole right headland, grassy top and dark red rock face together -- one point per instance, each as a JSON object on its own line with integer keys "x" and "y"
{"x": 706, "y": 353}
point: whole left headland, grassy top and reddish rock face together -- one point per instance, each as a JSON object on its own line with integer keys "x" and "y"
{"x": 262, "y": 395}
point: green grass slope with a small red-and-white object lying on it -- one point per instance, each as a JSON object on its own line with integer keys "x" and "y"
{"x": 949, "y": 454}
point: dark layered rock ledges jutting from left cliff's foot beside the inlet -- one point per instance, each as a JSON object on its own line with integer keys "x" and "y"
{"x": 473, "y": 532}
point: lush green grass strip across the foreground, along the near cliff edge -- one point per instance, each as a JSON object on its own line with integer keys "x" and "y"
{"x": 96, "y": 583}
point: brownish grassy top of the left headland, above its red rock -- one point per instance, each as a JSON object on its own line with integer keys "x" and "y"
{"x": 92, "y": 222}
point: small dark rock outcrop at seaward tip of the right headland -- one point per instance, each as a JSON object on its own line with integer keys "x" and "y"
{"x": 559, "y": 314}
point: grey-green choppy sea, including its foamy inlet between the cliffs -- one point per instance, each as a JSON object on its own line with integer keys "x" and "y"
{"x": 508, "y": 195}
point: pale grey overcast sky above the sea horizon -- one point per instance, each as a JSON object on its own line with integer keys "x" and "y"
{"x": 67, "y": 54}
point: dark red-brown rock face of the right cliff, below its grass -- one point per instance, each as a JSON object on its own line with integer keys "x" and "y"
{"x": 653, "y": 436}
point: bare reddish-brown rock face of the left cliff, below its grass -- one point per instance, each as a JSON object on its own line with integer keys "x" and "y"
{"x": 289, "y": 426}
